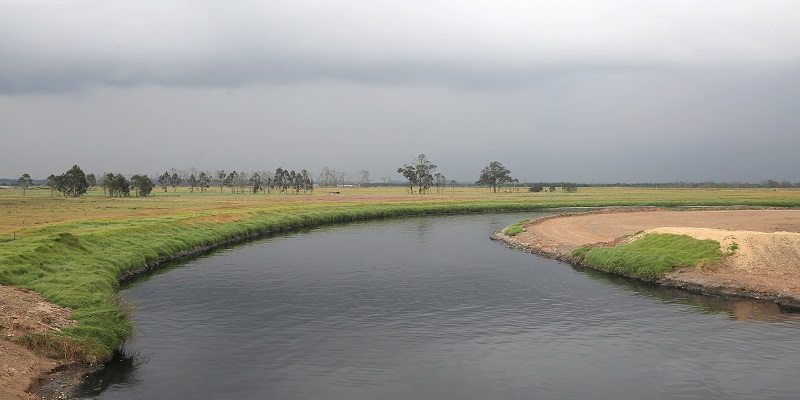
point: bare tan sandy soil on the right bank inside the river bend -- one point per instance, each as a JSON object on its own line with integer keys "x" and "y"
{"x": 766, "y": 262}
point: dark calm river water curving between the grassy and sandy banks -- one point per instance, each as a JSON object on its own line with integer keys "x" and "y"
{"x": 430, "y": 308}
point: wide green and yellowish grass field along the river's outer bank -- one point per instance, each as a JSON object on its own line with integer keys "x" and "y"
{"x": 73, "y": 251}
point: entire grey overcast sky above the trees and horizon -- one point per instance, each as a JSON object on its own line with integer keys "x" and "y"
{"x": 584, "y": 90}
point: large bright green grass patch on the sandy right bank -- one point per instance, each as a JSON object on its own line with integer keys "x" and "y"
{"x": 652, "y": 256}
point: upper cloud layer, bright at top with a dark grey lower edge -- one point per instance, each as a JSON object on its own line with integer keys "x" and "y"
{"x": 75, "y": 44}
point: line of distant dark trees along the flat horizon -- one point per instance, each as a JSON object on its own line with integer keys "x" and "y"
{"x": 421, "y": 175}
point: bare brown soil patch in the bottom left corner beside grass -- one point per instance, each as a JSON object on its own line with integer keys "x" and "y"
{"x": 22, "y": 312}
